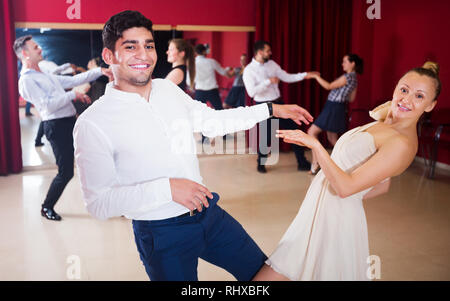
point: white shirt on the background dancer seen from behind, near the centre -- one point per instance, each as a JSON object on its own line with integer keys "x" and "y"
{"x": 205, "y": 77}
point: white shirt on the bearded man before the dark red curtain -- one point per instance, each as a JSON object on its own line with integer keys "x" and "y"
{"x": 257, "y": 76}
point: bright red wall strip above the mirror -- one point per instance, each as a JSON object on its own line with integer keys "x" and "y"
{"x": 174, "y": 12}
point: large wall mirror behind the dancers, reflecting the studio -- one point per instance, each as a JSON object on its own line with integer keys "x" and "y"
{"x": 79, "y": 47}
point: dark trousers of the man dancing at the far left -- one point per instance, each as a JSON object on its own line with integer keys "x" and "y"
{"x": 59, "y": 133}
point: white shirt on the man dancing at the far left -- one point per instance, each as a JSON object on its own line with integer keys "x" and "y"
{"x": 47, "y": 91}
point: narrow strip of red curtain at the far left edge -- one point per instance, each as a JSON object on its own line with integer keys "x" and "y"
{"x": 10, "y": 147}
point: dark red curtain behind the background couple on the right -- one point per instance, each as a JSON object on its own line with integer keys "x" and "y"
{"x": 306, "y": 35}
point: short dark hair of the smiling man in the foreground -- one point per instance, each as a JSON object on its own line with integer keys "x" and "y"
{"x": 117, "y": 24}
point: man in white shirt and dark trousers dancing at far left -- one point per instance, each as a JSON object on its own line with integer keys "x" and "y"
{"x": 47, "y": 93}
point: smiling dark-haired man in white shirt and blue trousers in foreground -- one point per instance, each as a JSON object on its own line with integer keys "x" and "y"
{"x": 135, "y": 155}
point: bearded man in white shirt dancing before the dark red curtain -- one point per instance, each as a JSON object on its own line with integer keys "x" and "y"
{"x": 261, "y": 78}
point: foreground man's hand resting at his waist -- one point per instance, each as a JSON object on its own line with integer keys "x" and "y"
{"x": 189, "y": 194}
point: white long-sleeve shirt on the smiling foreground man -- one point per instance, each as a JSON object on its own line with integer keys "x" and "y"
{"x": 127, "y": 148}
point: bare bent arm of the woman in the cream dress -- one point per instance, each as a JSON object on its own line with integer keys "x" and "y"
{"x": 391, "y": 159}
